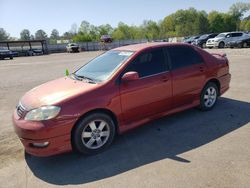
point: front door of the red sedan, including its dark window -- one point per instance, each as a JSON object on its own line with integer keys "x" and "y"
{"x": 152, "y": 92}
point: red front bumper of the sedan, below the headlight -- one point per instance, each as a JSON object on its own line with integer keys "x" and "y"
{"x": 56, "y": 133}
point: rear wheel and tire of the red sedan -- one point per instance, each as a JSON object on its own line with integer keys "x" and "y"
{"x": 209, "y": 96}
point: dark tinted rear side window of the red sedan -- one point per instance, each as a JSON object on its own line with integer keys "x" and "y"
{"x": 182, "y": 56}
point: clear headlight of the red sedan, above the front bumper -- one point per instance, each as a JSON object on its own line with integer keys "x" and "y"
{"x": 43, "y": 113}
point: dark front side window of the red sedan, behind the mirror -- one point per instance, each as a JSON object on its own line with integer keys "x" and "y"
{"x": 148, "y": 63}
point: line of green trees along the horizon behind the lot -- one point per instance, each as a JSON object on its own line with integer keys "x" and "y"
{"x": 181, "y": 23}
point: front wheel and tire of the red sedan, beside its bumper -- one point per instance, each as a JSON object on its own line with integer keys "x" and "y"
{"x": 93, "y": 134}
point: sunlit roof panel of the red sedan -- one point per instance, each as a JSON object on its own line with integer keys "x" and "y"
{"x": 142, "y": 46}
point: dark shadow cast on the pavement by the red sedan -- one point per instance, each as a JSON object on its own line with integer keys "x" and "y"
{"x": 164, "y": 138}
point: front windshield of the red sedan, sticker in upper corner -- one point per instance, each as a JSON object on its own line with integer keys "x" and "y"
{"x": 103, "y": 66}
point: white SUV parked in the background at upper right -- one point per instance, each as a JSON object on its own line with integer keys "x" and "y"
{"x": 222, "y": 39}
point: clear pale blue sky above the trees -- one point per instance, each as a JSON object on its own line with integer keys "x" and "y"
{"x": 16, "y": 15}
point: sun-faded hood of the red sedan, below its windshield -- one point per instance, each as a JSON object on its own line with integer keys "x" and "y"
{"x": 54, "y": 92}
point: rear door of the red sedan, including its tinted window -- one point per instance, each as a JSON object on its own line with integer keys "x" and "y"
{"x": 188, "y": 74}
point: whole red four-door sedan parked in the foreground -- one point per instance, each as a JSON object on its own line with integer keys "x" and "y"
{"x": 115, "y": 92}
